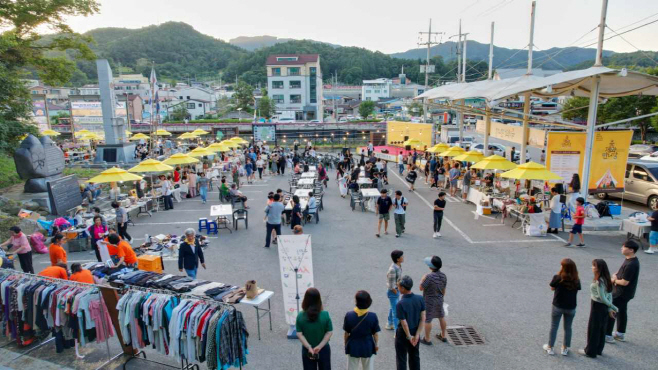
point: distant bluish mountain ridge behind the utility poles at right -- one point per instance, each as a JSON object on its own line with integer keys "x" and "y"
{"x": 554, "y": 58}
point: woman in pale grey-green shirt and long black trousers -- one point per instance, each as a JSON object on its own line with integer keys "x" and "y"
{"x": 602, "y": 308}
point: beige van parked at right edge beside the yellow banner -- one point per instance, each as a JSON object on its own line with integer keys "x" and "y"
{"x": 640, "y": 183}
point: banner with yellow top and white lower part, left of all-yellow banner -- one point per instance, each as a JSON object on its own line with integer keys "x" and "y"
{"x": 565, "y": 153}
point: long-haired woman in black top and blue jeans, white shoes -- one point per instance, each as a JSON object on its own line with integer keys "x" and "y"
{"x": 565, "y": 286}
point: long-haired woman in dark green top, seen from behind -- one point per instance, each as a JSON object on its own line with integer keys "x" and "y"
{"x": 314, "y": 329}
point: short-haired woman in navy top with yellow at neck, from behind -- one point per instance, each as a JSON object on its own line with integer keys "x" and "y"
{"x": 361, "y": 338}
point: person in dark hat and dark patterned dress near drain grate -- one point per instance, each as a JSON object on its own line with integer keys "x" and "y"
{"x": 433, "y": 286}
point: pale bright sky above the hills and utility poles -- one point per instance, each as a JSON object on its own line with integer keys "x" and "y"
{"x": 391, "y": 25}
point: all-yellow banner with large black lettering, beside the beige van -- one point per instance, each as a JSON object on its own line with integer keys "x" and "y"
{"x": 609, "y": 157}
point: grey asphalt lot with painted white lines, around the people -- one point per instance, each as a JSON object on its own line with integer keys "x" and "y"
{"x": 497, "y": 281}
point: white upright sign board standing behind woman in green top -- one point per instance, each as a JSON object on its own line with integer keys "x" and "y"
{"x": 295, "y": 254}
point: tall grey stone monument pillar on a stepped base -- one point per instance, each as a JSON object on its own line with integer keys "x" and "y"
{"x": 116, "y": 148}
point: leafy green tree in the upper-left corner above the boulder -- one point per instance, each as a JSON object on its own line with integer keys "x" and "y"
{"x": 23, "y": 50}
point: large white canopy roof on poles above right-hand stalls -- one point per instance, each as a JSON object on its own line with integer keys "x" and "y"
{"x": 613, "y": 83}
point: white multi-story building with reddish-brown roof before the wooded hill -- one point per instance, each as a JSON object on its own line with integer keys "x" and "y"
{"x": 294, "y": 83}
